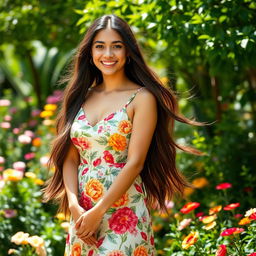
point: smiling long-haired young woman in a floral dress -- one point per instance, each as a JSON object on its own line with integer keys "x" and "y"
{"x": 114, "y": 155}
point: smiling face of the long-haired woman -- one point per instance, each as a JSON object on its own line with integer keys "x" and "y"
{"x": 108, "y": 51}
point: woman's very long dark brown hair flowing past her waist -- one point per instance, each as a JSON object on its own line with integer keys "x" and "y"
{"x": 160, "y": 175}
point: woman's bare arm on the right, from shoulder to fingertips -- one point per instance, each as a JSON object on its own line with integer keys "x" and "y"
{"x": 143, "y": 127}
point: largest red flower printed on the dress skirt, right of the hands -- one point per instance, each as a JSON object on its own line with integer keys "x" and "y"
{"x": 123, "y": 220}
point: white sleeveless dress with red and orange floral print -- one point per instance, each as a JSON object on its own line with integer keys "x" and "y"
{"x": 126, "y": 228}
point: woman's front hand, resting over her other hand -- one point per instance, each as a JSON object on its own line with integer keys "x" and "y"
{"x": 88, "y": 223}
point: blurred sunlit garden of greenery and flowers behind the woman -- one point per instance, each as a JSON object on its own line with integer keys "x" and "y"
{"x": 204, "y": 50}
